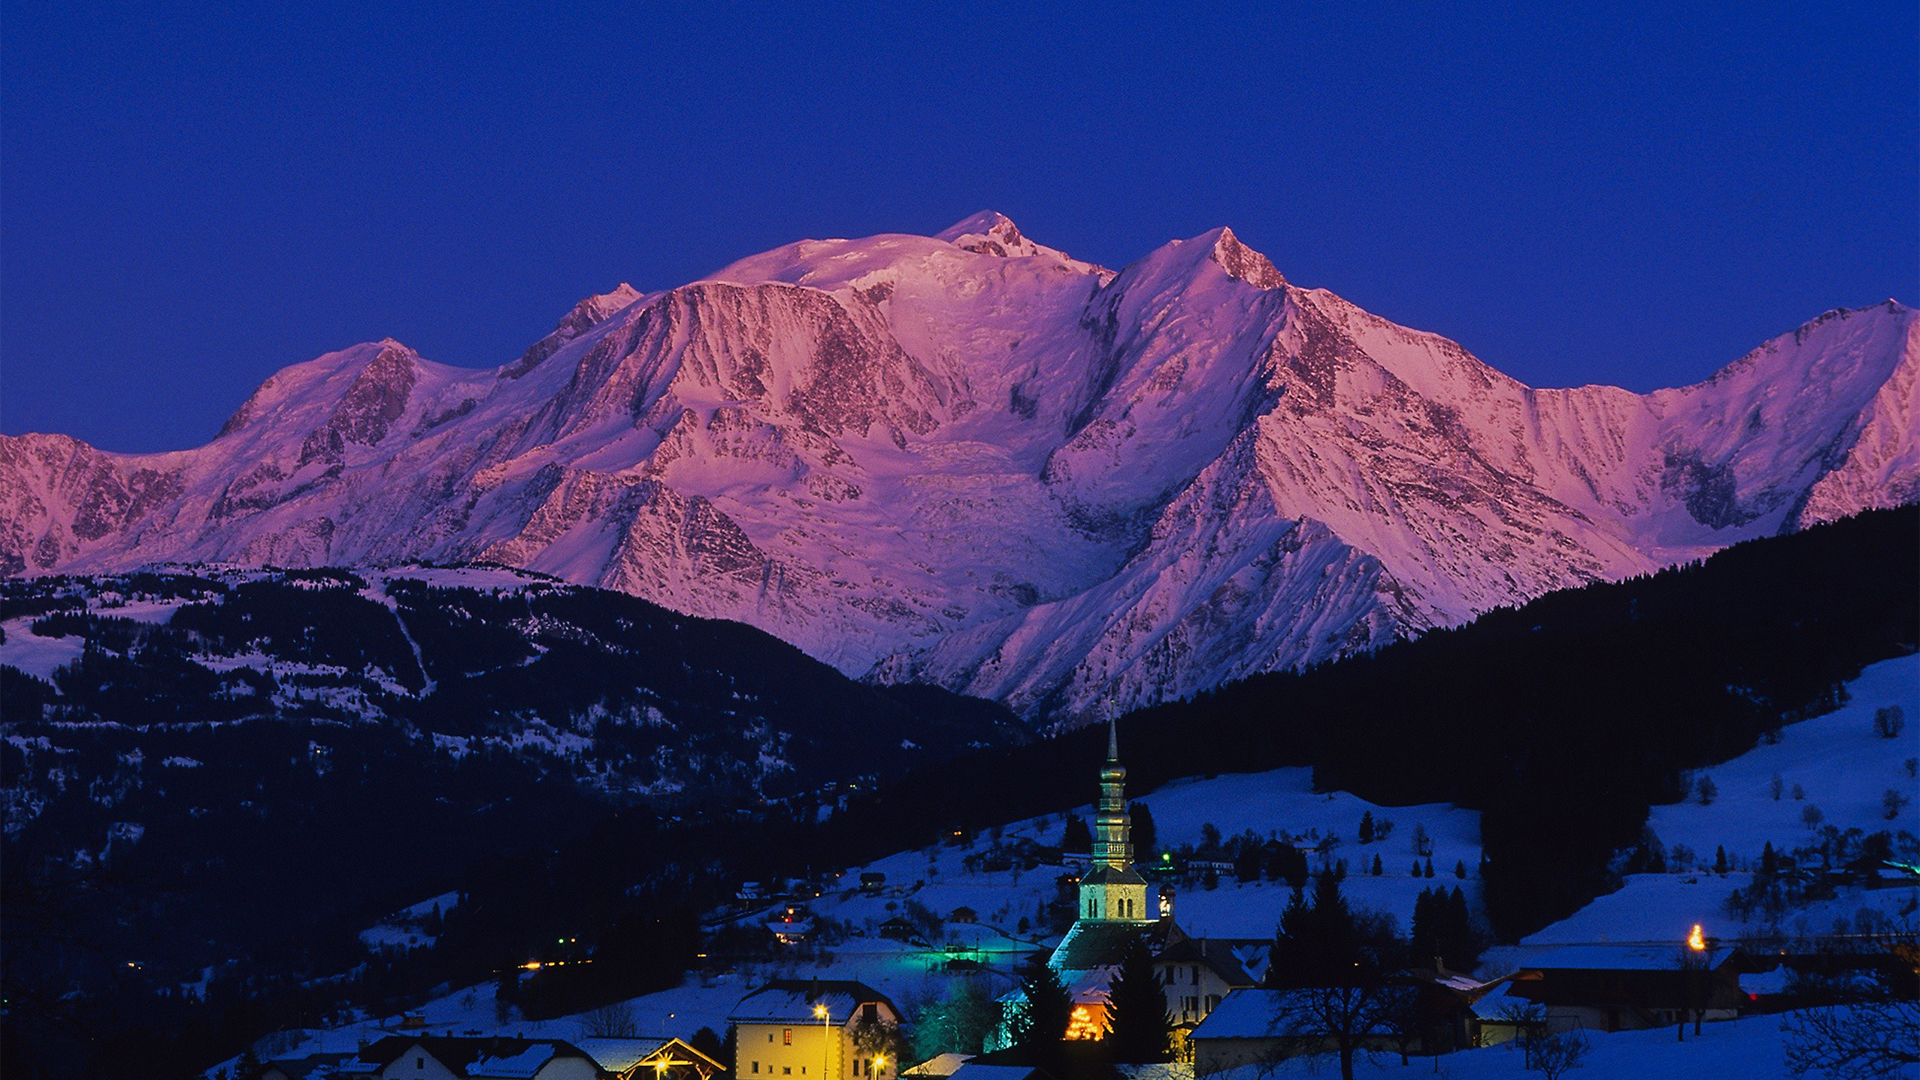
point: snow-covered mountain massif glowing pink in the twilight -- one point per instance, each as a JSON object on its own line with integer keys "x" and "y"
{"x": 974, "y": 460}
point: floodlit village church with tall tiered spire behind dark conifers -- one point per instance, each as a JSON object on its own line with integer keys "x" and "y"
{"x": 1116, "y": 902}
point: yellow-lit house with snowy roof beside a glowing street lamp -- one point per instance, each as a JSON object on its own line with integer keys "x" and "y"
{"x": 807, "y": 1029}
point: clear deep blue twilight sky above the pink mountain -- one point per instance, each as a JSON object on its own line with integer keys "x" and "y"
{"x": 197, "y": 195}
